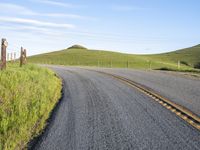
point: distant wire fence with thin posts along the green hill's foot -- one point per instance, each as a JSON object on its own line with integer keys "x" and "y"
{"x": 106, "y": 63}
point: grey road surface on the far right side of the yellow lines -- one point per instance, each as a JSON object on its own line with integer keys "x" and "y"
{"x": 181, "y": 90}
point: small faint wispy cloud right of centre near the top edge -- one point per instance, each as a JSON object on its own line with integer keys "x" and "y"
{"x": 125, "y": 8}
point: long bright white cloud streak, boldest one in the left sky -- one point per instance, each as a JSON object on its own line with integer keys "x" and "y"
{"x": 35, "y": 22}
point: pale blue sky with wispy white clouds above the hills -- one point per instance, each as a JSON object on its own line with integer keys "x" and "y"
{"x": 128, "y": 26}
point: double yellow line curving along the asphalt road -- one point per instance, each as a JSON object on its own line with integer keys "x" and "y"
{"x": 179, "y": 110}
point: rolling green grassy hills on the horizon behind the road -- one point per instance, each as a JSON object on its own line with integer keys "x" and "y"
{"x": 80, "y": 56}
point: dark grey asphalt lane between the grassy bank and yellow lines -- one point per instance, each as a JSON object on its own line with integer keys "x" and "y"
{"x": 98, "y": 112}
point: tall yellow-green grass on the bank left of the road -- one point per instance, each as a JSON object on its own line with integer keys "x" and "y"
{"x": 27, "y": 96}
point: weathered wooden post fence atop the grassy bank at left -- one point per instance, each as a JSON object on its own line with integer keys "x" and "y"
{"x": 11, "y": 55}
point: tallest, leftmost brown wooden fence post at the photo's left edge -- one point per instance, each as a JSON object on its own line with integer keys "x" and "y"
{"x": 4, "y": 45}
